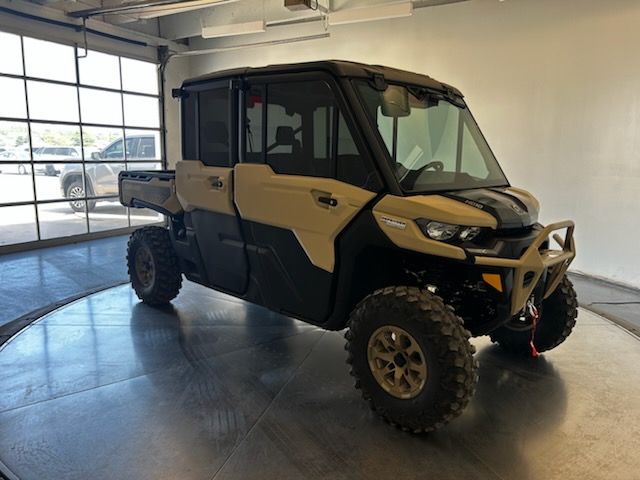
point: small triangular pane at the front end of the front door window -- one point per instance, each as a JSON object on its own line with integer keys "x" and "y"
{"x": 353, "y": 167}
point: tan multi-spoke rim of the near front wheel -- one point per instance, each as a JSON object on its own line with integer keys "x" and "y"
{"x": 397, "y": 362}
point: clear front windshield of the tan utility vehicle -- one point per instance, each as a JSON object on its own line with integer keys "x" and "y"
{"x": 433, "y": 142}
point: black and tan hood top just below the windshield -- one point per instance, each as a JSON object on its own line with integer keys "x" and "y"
{"x": 511, "y": 207}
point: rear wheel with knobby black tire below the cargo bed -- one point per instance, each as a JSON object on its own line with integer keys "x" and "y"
{"x": 153, "y": 265}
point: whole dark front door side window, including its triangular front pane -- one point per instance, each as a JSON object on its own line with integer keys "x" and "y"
{"x": 305, "y": 134}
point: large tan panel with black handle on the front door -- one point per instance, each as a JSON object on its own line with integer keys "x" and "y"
{"x": 291, "y": 202}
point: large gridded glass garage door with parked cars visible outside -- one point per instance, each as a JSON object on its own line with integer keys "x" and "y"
{"x": 70, "y": 120}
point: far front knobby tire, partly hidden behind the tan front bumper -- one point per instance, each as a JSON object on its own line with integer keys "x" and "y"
{"x": 557, "y": 318}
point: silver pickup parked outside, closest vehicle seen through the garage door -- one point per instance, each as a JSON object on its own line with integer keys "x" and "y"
{"x": 102, "y": 175}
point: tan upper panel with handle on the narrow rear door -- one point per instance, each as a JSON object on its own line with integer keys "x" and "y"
{"x": 200, "y": 186}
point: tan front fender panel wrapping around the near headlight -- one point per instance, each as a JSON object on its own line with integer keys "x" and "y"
{"x": 392, "y": 212}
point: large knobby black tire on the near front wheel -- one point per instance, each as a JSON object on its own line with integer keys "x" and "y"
{"x": 442, "y": 340}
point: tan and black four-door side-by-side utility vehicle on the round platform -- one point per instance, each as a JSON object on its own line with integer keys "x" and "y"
{"x": 359, "y": 197}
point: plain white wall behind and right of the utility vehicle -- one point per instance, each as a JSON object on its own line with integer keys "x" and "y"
{"x": 555, "y": 86}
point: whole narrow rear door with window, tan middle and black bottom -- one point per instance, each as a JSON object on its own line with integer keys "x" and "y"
{"x": 204, "y": 182}
